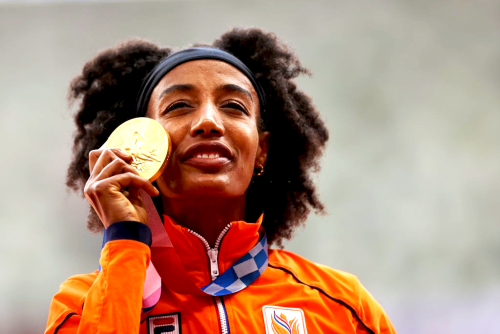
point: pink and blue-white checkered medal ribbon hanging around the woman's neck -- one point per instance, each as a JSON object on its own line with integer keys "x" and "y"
{"x": 173, "y": 274}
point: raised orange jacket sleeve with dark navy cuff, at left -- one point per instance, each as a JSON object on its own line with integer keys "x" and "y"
{"x": 112, "y": 303}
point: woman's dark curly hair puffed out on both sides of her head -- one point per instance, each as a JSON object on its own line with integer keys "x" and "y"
{"x": 106, "y": 93}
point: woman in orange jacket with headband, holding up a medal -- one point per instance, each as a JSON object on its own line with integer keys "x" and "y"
{"x": 244, "y": 142}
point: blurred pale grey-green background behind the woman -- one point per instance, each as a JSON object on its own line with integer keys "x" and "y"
{"x": 410, "y": 94}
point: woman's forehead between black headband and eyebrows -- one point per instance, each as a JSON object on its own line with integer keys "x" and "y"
{"x": 205, "y": 74}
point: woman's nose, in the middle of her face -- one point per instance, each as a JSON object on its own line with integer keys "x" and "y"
{"x": 207, "y": 122}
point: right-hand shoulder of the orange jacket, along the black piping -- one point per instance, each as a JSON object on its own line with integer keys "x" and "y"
{"x": 336, "y": 285}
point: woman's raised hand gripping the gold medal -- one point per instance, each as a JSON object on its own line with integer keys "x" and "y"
{"x": 113, "y": 187}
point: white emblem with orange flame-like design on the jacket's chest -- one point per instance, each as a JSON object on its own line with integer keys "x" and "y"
{"x": 284, "y": 320}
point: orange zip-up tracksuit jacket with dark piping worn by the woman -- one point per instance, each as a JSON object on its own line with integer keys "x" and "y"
{"x": 293, "y": 295}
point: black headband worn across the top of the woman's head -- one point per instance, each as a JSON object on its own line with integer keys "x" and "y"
{"x": 187, "y": 55}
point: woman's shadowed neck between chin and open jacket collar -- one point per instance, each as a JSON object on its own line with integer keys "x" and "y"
{"x": 205, "y": 216}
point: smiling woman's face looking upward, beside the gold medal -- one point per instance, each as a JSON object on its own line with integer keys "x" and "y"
{"x": 211, "y": 110}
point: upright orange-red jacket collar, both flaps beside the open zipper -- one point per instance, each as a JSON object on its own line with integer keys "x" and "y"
{"x": 237, "y": 241}
